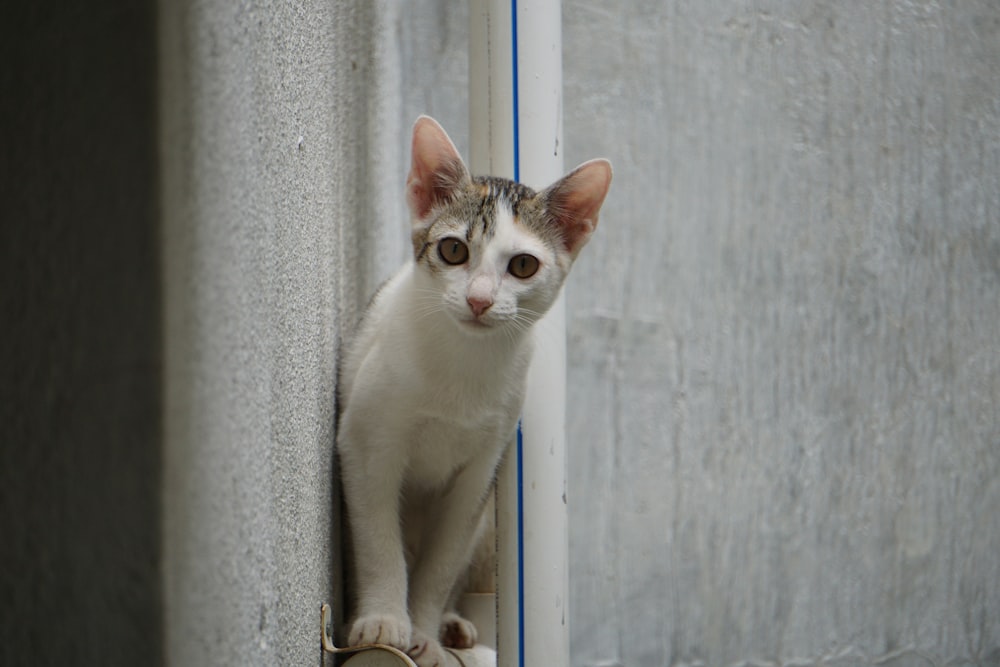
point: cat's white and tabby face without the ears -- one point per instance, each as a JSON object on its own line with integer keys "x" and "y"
{"x": 485, "y": 258}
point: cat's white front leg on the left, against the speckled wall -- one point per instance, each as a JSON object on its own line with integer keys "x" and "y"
{"x": 372, "y": 477}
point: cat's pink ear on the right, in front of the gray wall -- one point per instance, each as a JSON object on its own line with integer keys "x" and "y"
{"x": 574, "y": 202}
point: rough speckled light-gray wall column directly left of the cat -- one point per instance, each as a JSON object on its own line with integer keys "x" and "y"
{"x": 263, "y": 124}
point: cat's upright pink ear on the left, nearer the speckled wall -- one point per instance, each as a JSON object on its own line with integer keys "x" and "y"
{"x": 436, "y": 168}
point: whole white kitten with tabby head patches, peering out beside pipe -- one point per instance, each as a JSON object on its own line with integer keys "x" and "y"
{"x": 432, "y": 384}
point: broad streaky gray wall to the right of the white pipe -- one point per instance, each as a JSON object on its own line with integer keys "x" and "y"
{"x": 785, "y": 374}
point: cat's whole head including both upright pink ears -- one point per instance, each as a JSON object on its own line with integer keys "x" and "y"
{"x": 491, "y": 253}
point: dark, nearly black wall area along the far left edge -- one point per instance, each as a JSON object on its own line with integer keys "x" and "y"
{"x": 80, "y": 335}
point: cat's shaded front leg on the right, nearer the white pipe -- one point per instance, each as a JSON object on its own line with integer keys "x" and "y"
{"x": 447, "y": 549}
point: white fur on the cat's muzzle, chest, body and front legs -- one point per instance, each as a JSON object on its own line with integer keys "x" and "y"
{"x": 431, "y": 396}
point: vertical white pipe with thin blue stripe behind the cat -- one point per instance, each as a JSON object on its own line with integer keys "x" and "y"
{"x": 515, "y": 102}
